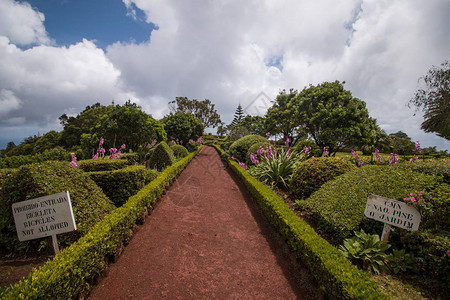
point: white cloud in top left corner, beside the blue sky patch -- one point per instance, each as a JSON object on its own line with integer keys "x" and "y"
{"x": 21, "y": 24}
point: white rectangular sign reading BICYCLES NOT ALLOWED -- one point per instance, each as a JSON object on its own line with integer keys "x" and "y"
{"x": 44, "y": 216}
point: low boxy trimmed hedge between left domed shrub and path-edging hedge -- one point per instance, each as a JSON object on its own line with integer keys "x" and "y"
{"x": 121, "y": 184}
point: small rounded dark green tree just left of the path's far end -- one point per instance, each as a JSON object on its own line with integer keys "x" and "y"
{"x": 182, "y": 126}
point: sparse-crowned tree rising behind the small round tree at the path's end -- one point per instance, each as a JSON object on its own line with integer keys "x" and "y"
{"x": 204, "y": 110}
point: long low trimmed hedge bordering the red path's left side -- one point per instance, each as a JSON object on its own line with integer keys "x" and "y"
{"x": 71, "y": 272}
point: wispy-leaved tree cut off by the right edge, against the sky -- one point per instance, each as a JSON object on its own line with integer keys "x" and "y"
{"x": 434, "y": 100}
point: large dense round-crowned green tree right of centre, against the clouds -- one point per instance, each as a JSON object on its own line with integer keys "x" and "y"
{"x": 333, "y": 117}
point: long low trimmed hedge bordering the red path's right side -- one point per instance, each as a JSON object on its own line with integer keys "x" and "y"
{"x": 337, "y": 276}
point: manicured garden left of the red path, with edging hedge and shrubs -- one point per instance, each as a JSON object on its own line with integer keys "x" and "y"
{"x": 109, "y": 194}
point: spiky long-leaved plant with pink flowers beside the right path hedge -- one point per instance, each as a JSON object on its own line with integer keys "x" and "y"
{"x": 275, "y": 167}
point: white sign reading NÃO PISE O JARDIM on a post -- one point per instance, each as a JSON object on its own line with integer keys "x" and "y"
{"x": 392, "y": 212}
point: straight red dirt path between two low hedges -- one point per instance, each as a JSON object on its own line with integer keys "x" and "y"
{"x": 204, "y": 239}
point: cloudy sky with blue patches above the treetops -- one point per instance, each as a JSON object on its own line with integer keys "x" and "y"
{"x": 58, "y": 56}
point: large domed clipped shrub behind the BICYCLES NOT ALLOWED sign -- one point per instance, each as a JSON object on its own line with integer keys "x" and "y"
{"x": 89, "y": 203}
